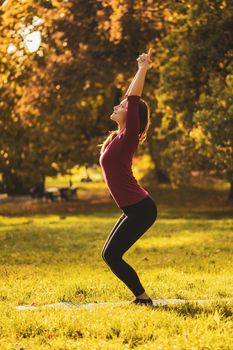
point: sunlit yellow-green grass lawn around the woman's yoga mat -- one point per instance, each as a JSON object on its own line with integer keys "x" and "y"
{"x": 52, "y": 253}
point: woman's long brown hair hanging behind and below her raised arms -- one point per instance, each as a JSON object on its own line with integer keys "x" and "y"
{"x": 144, "y": 116}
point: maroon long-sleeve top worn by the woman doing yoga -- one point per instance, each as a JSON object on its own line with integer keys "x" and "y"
{"x": 116, "y": 159}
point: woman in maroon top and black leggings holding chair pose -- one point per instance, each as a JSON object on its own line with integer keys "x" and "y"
{"x": 139, "y": 210}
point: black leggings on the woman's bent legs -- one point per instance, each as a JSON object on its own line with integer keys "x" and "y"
{"x": 130, "y": 226}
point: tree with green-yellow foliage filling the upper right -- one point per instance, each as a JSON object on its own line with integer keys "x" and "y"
{"x": 193, "y": 59}
